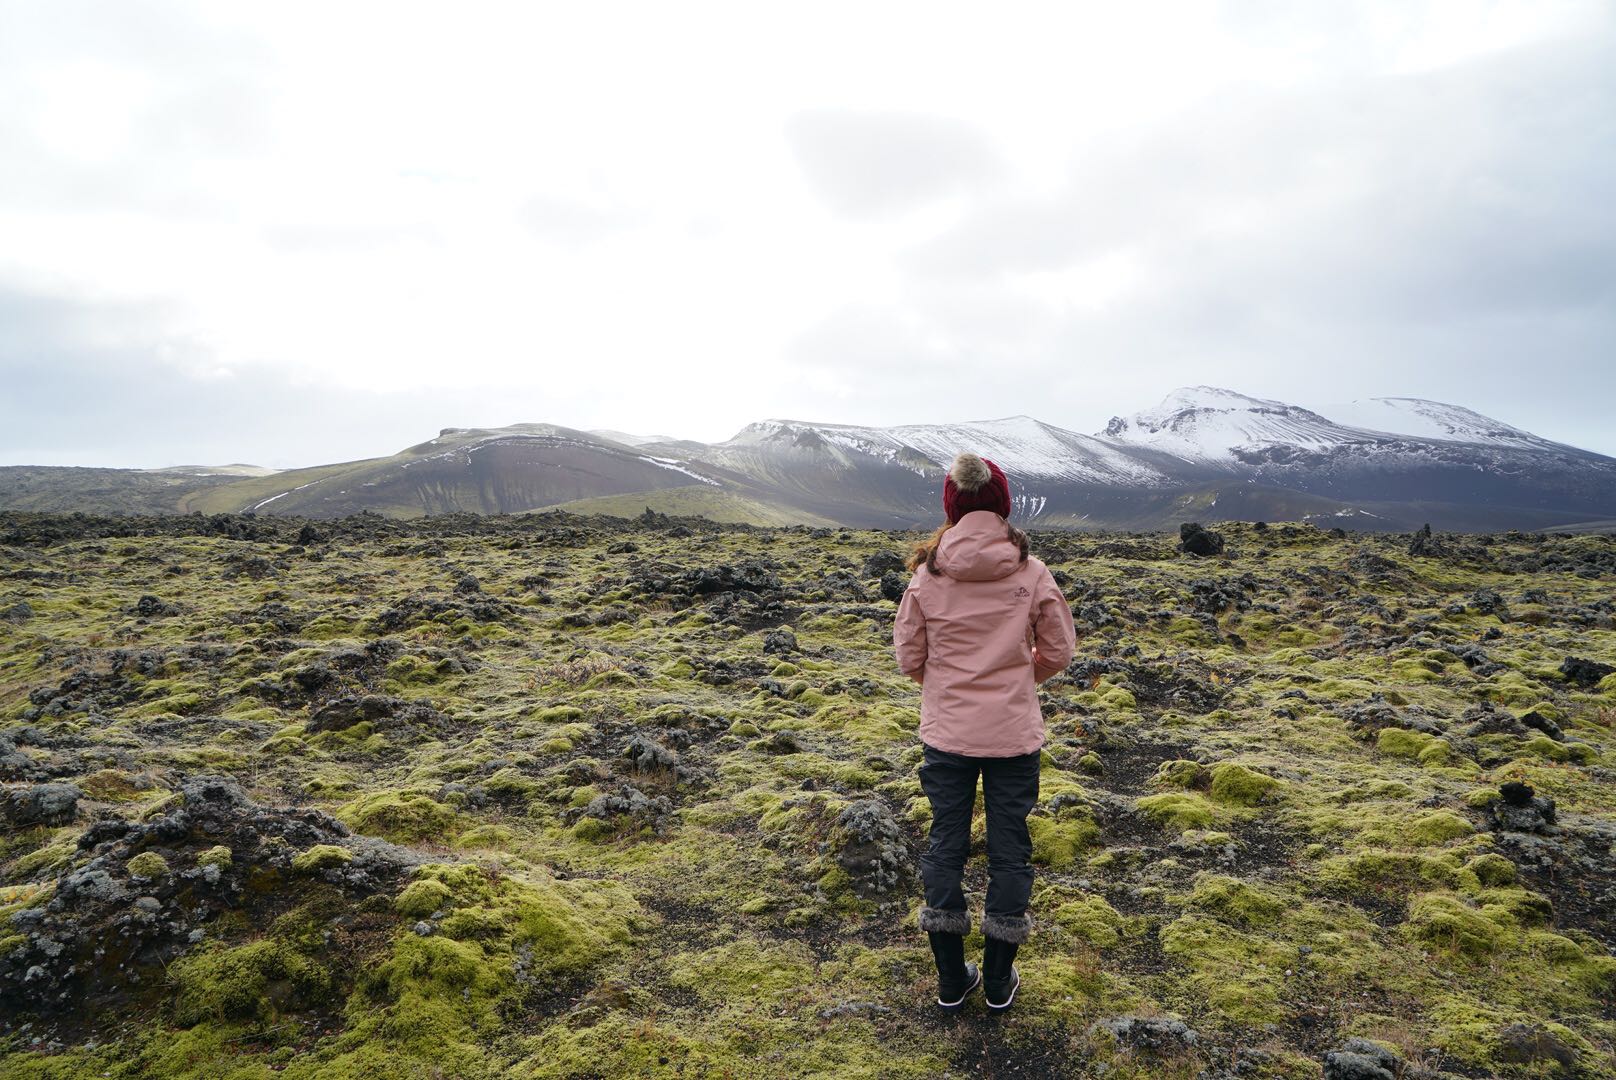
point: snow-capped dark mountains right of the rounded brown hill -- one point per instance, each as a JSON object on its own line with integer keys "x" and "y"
{"x": 1203, "y": 447}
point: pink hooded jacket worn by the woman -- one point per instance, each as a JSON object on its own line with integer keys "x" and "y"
{"x": 980, "y": 636}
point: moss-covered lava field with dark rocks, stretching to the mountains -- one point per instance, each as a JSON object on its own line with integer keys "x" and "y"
{"x": 560, "y": 795}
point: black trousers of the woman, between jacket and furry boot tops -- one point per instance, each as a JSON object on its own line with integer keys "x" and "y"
{"x": 1011, "y": 791}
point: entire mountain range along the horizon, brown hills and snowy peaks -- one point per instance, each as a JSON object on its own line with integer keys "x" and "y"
{"x": 1205, "y": 452}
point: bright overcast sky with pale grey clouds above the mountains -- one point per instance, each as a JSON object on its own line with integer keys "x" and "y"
{"x": 290, "y": 234}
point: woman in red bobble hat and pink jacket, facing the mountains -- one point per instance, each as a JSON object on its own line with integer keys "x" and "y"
{"x": 980, "y": 626}
